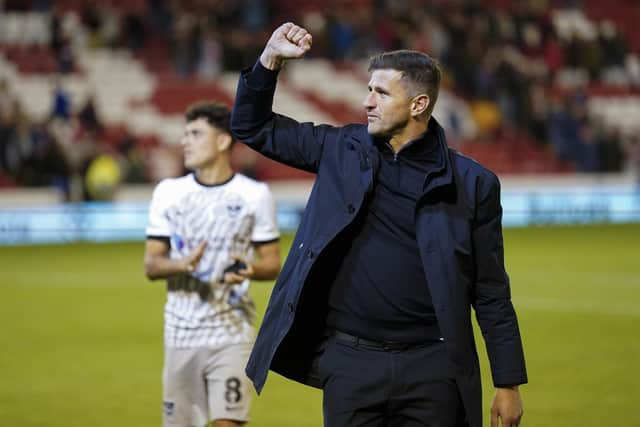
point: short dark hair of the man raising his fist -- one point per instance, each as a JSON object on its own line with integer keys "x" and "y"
{"x": 419, "y": 71}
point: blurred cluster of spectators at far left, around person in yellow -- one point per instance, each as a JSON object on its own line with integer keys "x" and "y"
{"x": 67, "y": 150}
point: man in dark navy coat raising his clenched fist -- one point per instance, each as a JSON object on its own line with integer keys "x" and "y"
{"x": 400, "y": 237}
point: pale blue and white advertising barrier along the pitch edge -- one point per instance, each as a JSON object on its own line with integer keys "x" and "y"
{"x": 36, "y": 217}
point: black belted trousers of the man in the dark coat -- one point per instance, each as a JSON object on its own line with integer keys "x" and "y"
{"x": 371, "y": 385}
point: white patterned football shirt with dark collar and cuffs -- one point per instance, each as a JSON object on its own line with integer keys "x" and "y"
{"x": 200, "y": 310}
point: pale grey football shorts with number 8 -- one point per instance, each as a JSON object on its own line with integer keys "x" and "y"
{"x": 201, "y": 385}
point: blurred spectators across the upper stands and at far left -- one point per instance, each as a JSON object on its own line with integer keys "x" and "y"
{"x": 514, "y": 67}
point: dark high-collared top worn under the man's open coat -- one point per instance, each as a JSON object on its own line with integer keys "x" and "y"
{"x": 380, "y": 290}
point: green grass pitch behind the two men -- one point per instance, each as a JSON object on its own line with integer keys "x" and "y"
{"x": 81, "y": 334}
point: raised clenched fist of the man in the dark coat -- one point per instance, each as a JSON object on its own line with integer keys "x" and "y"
{"x": 288, "y": 41}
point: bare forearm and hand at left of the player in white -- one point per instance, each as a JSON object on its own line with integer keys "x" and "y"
{"x": 158, "y": 265}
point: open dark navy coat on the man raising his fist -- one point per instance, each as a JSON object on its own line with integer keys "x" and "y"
{"x": 459, "y": 234}
